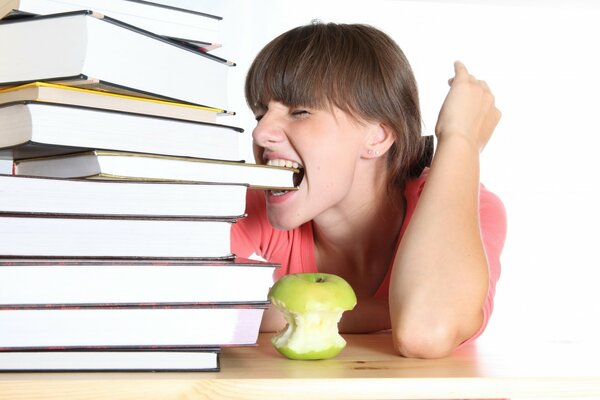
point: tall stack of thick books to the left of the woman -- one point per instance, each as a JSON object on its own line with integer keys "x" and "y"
{"x": 115, "y": 249}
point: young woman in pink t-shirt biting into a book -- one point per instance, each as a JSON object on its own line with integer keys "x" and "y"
{"x": 420, "y": 246}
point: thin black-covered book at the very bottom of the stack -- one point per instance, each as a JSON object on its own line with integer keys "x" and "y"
{"x": 112, "y": 359}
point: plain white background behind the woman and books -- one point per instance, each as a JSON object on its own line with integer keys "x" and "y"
{"x": 541, "y": 60}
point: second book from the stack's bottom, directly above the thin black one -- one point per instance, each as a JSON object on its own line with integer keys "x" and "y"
{"x": 188, "y": 325}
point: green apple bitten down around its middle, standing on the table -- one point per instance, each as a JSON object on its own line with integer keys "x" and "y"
{"x": 312, "y": 305}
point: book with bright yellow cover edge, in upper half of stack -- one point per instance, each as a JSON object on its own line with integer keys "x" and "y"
{"x": 61, "y": 94}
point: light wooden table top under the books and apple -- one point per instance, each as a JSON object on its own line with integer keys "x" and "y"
{"x": 366, "y": 369}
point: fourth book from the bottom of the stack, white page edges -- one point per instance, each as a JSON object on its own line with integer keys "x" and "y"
{"x": 32, "y": 235}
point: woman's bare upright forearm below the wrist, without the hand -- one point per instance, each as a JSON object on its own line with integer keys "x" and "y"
{"x": 440, "y": 278}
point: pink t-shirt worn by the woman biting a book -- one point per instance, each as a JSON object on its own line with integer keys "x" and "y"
{"x": 294, "y": 249}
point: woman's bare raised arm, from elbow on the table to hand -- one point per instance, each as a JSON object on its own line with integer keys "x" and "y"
{"x": 440, "y": 276}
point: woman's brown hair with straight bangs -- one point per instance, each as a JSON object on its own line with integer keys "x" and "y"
{"x": 355, "y": 67}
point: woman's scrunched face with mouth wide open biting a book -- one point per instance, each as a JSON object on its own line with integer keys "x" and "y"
{"x": 327, "y": 143}
